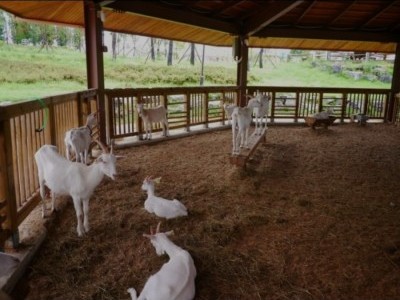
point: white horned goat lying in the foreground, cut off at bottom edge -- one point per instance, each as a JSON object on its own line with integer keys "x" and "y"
{"x": 176, "y": 278}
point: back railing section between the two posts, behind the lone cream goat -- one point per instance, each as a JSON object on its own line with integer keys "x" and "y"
{"x": 186, "y": 107}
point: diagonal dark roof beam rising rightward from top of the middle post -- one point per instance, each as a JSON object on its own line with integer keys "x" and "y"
{"x": 268, "y": 15}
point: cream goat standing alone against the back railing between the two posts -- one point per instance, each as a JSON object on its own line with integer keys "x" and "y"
{"x": 153, "y": 115}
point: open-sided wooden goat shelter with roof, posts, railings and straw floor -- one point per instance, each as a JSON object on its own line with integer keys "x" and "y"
{"x": 319, "y": 226}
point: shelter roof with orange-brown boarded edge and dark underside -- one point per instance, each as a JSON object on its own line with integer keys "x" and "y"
{"x": 358, "y": 25}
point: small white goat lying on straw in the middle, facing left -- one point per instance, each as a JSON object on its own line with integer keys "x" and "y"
{"x": 159, "y": 206}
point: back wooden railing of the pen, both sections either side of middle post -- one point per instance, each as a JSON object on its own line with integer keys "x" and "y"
{"x": 190, "y": 107}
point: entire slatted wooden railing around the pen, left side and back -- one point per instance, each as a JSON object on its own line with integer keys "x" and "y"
{"x": 25, "y": 127}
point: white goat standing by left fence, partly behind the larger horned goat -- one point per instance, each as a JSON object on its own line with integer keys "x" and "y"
{"x": 78, "y": 139}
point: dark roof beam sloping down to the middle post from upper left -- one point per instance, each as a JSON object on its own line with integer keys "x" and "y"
{"x": 155, "y": 10}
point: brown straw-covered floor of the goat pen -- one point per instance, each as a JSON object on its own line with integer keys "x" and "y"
{"x": 315, "y": 216}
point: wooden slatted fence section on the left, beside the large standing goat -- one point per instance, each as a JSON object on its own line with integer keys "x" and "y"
{"x": 24, "y": 128}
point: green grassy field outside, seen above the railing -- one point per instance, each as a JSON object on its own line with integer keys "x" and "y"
{"x": 28, "y": 73}
